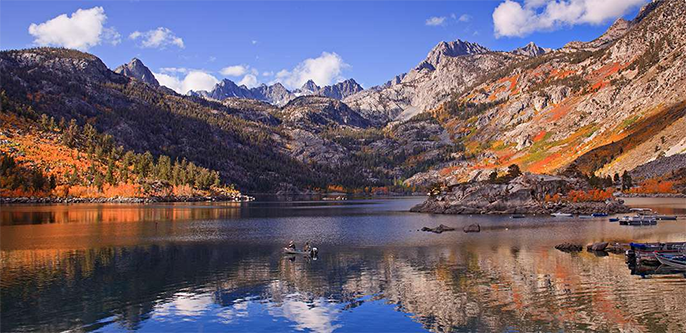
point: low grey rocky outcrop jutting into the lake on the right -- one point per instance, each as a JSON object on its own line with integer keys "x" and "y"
{"x": 524, "y": 195}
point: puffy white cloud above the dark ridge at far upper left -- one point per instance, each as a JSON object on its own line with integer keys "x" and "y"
{"x": 82, "y": 30}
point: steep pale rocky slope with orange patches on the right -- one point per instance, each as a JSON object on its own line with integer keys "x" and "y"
{"x": 603, "y": 106}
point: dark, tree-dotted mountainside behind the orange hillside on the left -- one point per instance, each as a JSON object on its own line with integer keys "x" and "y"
{"x": 308, "y": 144}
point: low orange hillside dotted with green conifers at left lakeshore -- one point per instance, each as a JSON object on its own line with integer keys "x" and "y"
{"x": 46, "y": 158}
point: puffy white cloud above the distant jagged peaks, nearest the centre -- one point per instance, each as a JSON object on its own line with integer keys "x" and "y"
{"x": 323, "y": 70}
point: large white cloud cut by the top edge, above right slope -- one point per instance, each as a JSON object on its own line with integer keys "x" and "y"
{"x": 514, "y": 19}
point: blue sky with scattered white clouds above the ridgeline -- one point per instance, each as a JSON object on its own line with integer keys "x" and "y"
{"x": 371, "y": 41}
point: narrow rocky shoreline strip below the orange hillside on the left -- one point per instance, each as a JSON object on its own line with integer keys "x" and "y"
{"x": 72, "y": 200}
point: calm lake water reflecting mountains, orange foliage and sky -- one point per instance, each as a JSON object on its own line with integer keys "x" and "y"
{"x": 219, "y": 267}
